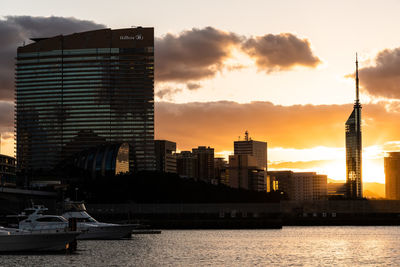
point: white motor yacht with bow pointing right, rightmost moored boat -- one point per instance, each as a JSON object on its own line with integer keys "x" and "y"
{"x": 91, "y": 227}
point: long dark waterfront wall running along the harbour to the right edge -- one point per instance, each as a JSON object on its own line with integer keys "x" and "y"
{"x": 252, "y": 215}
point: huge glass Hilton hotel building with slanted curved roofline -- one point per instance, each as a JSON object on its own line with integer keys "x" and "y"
{"x": 82, "y": 90}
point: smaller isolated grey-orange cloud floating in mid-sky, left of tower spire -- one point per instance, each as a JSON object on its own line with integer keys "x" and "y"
{"x": 280, "y": 52}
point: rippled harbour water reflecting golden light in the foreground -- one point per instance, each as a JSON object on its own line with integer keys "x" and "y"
{"x": 291, "y": 246}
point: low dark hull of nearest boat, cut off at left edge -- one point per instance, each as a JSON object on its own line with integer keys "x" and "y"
{"x": 16, "y": 240}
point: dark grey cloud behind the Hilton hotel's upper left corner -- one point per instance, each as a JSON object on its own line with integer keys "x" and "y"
{"x": 15, "y": 30}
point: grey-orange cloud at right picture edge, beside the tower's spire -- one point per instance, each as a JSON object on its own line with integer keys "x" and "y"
{"x": 383, "y": 79}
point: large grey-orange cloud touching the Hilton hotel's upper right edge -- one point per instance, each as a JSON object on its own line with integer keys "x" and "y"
{"x": 193, "y": 54}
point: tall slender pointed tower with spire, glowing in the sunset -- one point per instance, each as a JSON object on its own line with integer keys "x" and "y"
{"x": 354, "y": 148}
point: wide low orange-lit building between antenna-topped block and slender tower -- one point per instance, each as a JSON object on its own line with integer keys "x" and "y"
{"x": 301, "y": 186}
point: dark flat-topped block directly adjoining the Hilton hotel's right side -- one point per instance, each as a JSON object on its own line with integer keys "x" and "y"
{"x": 165, "y": 156}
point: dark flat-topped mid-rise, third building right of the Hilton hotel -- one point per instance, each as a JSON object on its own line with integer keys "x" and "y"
{"x": 204, "y": 163}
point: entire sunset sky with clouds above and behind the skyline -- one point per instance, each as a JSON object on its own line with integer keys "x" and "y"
{"x": 283, "y": 70}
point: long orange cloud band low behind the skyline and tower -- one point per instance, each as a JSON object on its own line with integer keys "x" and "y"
{"x": 218, "y": 124}
